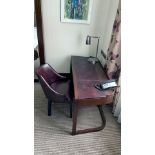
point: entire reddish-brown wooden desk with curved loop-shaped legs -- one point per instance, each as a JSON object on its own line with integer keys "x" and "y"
{"x": 85, "y": 76}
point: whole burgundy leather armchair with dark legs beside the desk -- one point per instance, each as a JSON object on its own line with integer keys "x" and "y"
{"x": 56, "y": 88}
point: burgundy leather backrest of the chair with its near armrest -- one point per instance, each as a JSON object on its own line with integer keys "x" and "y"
{"x": 47, "y": 75}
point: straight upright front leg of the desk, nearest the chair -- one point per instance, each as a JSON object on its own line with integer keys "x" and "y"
{"x": 75, "y": 113}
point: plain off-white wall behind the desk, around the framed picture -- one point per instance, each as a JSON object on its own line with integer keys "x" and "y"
{"x": 65, "y": 39}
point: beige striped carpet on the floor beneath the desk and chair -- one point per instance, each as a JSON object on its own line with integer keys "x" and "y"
{"x": 52, "y": 134}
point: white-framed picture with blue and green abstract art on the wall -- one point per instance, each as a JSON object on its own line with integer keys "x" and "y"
{"x": 76, "y": 11}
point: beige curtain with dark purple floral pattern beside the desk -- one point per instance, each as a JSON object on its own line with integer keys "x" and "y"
{"x": 113, "y": 62}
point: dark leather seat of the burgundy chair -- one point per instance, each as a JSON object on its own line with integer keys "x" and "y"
{"x": 63, "y": 87}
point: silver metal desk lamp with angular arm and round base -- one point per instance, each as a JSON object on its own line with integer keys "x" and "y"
{"x": 93, "y": 60}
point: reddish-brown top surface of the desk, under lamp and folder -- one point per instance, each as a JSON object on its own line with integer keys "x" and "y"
{"x": 85, "y": 76}
